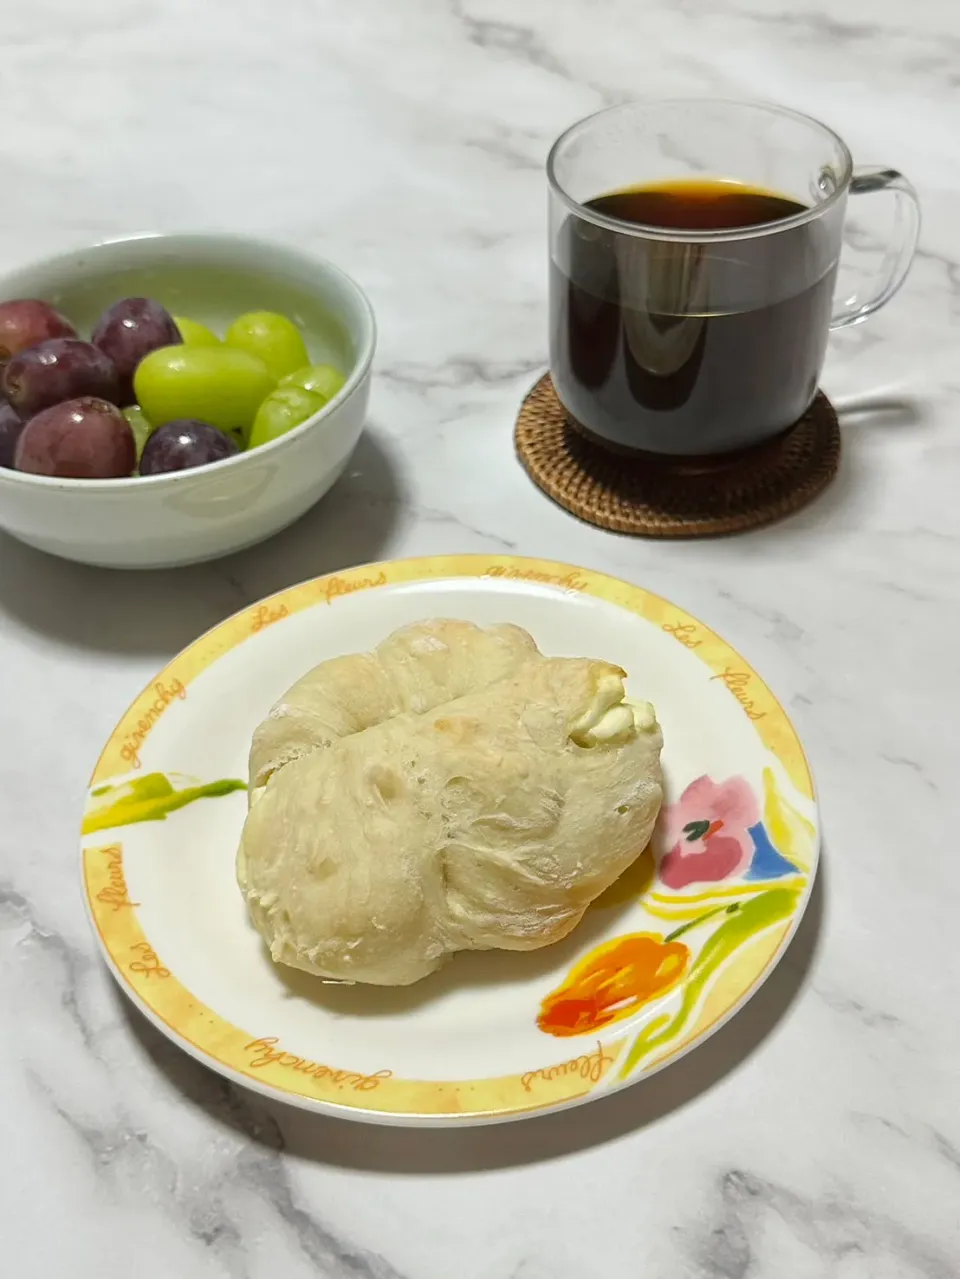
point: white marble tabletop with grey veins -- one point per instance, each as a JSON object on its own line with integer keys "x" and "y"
{"x": 819, "y": 1135}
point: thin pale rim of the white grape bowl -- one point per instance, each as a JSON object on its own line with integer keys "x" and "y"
{"x": 357, "y": 378}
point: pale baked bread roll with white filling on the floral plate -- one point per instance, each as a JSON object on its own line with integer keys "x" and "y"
{"x": 453, "y": 791}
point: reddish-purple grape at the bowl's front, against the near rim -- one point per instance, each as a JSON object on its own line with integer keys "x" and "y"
{"x": 84, "y": 439}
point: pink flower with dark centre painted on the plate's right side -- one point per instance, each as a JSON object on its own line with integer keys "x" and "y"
{"x": 706, "y": 833}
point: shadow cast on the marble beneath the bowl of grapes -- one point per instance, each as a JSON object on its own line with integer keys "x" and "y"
{"x": 158, "y": 612}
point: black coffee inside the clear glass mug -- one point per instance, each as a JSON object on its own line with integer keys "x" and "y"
{"x": 690, "y": 347}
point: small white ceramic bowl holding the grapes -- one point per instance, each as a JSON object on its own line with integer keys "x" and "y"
{"x": 190, "y": 516}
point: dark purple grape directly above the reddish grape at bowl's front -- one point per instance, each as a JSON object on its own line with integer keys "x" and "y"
{"x": 58, "y": 370}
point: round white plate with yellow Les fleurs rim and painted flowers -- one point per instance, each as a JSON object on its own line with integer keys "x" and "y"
{"x": 663, "y": 960}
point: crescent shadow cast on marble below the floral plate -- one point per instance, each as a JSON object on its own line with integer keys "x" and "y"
{"x": 369, "y": 1148}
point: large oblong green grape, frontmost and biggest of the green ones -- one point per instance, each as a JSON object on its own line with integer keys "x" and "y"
{"x": 215, "y": 384}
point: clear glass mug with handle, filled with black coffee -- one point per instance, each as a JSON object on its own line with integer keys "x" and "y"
{"x": 693, "y": 341}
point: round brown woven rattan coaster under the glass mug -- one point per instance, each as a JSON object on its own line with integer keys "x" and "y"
{"x": 676, "y": 498}
